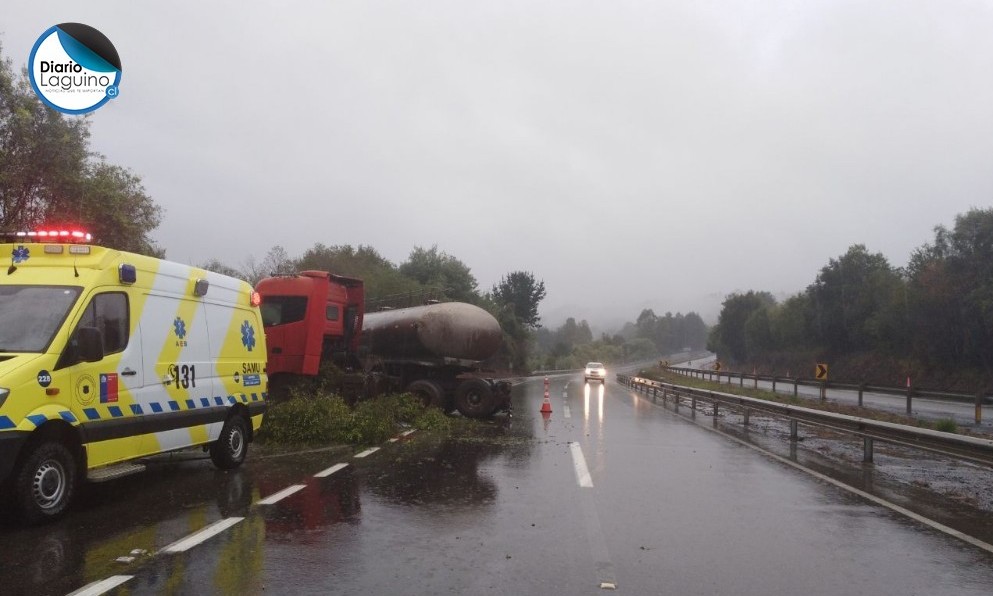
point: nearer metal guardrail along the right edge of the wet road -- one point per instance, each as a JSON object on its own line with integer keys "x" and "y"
{"x": 964, "y": 447}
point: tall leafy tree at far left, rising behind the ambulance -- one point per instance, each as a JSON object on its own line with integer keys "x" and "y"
{"x": 48, "y": 176}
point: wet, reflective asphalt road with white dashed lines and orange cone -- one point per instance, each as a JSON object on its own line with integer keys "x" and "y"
{"x": 609, "y": 491}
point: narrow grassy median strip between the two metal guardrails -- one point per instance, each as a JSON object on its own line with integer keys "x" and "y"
{"x": 658, "y": 374}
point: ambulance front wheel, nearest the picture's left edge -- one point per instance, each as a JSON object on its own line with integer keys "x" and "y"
{"x": 45, "y": 482}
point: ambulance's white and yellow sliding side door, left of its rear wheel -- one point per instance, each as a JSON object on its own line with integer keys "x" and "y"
{"x": 177, "y": 361}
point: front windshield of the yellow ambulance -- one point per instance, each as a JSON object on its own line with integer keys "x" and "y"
{"x": 30, "y": 316}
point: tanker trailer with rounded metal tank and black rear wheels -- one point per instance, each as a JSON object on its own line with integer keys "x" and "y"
{"x": 434, "y": 351}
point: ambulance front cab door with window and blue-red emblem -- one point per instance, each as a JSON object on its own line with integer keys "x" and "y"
{"x": 103, "y": 391}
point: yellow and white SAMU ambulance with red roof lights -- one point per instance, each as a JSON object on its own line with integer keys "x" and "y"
{"x": 107, "y": 357}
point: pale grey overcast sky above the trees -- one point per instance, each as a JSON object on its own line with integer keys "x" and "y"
{"x": 631, "y": 154}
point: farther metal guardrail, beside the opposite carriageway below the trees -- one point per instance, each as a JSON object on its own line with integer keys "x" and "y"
{"x": 909, "y": 393}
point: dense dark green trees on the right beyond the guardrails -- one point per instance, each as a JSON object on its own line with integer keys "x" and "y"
{"x": 931, "y": 320}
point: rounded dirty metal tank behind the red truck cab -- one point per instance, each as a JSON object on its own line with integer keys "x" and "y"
{"x": 447, "y": 330}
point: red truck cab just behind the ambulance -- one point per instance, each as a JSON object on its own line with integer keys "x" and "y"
{"x": 309, "y": 317}
